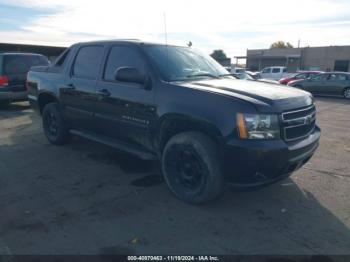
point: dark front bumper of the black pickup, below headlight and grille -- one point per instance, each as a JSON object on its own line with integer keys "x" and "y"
{"x": 249, "y": 163}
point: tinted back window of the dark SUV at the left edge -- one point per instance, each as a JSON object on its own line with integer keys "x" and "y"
{"x": 20, "y": 64}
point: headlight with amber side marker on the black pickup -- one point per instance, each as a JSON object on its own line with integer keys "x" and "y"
{"x": 256, "y": 126}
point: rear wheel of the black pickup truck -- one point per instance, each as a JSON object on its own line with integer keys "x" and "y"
{"x": 55, "y": 129}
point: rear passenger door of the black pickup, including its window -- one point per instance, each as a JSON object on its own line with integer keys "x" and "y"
{"x": 78, "y": 93}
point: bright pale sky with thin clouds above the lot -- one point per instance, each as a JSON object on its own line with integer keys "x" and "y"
{"x": 233, "y": 26}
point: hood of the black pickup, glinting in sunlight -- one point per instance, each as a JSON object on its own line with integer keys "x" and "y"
{"x": 267, "y": 98}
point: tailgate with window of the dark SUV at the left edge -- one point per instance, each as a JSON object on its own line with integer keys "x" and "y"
{"x": 16, "y": 67}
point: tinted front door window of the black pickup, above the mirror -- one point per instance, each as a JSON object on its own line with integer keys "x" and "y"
{"x": 121, "y": 56}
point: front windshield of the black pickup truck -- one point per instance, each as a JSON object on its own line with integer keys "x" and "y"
{"x": 183, "y": 63}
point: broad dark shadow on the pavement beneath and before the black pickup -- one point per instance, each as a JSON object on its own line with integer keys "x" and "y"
{"x": 84, "y": 191}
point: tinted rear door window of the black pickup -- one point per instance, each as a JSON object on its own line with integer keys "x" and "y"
{"x": 87, "y": 62}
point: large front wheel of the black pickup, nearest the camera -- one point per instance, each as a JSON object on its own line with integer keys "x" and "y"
{"x": 192, "y": 169}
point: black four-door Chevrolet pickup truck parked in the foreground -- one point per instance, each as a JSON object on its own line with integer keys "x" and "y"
{"x": 176, "y": 105}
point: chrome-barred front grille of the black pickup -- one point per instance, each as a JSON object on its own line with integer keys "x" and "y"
{"x": 298, "y": 123}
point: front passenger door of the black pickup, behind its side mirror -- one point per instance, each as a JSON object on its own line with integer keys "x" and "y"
{"x": 125, "y": 111}
